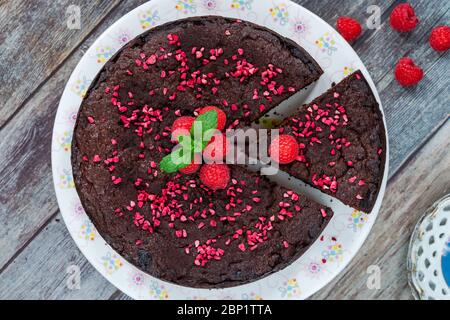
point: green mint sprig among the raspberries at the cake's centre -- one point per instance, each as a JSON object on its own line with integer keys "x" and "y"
{"x": 201, "y": 133}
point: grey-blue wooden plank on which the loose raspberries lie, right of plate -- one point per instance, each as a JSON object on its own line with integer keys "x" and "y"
{"x": 411, "y": 114}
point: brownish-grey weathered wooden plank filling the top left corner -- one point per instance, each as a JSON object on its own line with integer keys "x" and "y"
{"x": 35, "y": 40}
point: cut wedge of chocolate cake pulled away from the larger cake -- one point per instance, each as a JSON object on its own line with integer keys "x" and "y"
{"x": 342, "y": 143}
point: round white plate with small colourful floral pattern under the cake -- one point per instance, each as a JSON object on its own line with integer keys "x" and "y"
{"x": 343, "y": 236}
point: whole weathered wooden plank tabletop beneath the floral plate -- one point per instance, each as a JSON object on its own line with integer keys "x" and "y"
{"x": 37, "y": 54}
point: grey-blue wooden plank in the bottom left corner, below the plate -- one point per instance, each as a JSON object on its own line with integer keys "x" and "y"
{"x": 40, "y": 271}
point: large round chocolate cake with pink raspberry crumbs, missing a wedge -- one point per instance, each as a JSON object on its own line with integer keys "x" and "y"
{"x": 171, "y": 225}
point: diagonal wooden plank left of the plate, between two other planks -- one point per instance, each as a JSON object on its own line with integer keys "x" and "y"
{"x": 26, "y": 189}
